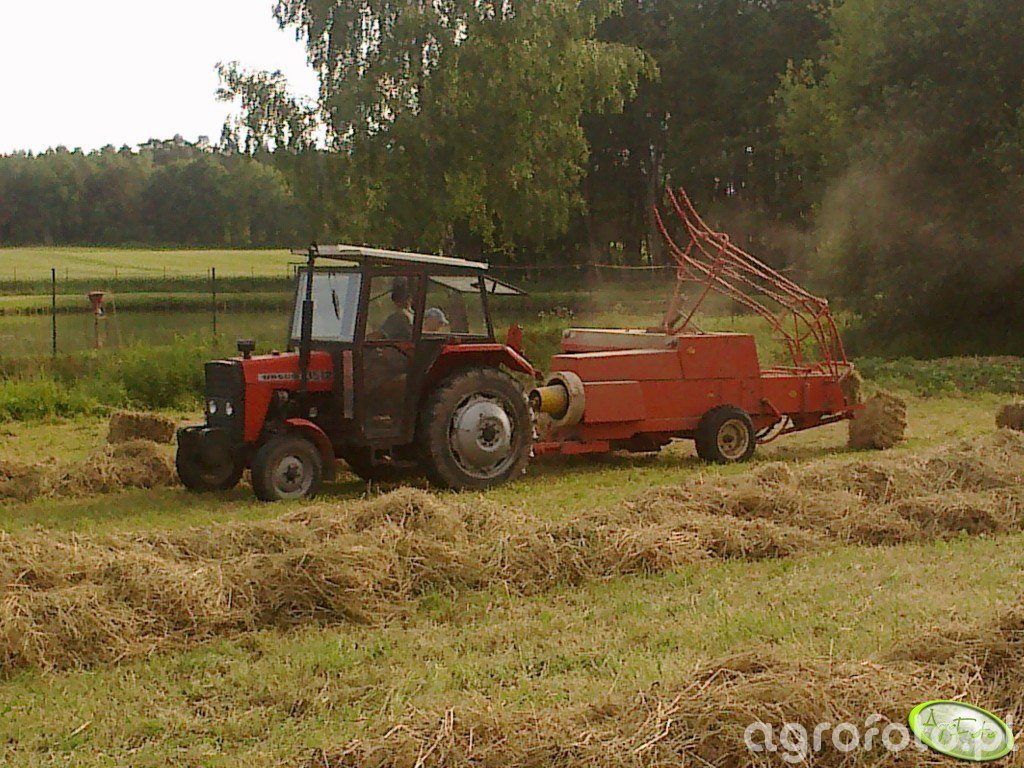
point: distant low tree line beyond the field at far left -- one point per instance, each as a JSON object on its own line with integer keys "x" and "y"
{"x": 165, "y": 193}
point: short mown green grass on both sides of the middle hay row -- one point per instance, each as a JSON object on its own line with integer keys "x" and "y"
{"x": 279, "y": 697}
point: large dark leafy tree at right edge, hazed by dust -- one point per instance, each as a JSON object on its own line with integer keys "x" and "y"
{"x": 912, "y": 123}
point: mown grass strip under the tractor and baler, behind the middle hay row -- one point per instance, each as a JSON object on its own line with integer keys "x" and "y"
{"x": 557, "y": 487}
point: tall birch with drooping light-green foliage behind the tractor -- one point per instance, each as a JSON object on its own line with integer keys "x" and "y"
{"x": 460, "y": 120}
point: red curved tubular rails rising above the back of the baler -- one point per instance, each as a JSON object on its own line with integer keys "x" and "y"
{"x": 801, "y": 321}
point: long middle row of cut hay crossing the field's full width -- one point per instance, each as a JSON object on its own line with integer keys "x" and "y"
{"x": 362, "y": 562}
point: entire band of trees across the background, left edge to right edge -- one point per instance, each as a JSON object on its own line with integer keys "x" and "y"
{"x": 875, "y": 148}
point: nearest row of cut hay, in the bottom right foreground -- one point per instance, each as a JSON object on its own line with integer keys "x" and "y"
{"x": 702, "y": 721}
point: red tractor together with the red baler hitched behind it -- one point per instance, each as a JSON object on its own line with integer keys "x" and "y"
{"x": 394, "y": 368}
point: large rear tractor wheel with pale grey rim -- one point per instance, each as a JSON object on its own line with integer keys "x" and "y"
{"x": 476, "y": 431}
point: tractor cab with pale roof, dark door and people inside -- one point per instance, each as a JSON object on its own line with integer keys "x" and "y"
{"x": 387, "y": 319}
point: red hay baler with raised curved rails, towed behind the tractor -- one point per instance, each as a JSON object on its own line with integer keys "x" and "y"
{"x": 634, "y": 391}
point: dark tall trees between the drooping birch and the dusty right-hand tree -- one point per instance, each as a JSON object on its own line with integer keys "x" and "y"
{"x": 708, "y": 123}
